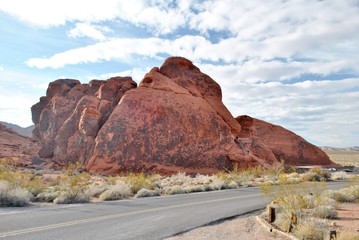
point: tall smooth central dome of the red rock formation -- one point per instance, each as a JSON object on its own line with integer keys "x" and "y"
{"x": 174, "y": 121}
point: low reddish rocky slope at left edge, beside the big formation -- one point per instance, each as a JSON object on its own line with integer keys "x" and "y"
{"x": 14, "y": 145}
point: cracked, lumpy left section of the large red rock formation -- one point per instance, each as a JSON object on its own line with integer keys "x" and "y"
{"x": 68, "y": 119}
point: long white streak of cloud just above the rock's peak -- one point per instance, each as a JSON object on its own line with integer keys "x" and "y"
{"x": 120, "y": 49}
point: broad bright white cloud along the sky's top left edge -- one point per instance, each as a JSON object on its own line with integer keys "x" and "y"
{"x": 157, "y": 15}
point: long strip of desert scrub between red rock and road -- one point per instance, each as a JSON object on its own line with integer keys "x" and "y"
{"x": 20, "y": 187}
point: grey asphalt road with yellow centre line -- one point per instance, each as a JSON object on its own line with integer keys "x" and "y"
{"x": 146, "y": 218}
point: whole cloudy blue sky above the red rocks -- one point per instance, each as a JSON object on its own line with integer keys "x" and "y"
{"x": 292, "y": 63}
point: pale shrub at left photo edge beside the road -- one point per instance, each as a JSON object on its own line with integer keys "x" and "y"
{"x": 13, "y": 197}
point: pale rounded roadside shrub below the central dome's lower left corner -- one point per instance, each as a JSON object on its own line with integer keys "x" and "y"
{"x": 119, "y": 191}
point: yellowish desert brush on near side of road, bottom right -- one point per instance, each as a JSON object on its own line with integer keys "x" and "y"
{"x": 304, "y": 209}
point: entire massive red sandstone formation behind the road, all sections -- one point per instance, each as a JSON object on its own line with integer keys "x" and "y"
{"x": 173, "y": 121}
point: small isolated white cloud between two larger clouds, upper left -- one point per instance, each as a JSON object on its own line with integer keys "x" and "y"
{"x": 87, "y": 30}
